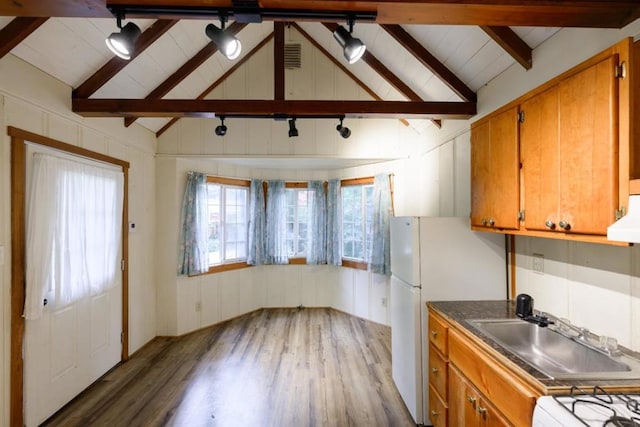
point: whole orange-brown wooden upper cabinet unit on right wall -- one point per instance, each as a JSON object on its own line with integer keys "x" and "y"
{"x": 576, "y": 139}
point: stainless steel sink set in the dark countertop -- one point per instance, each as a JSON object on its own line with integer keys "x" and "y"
{"x": 556, "y": 355}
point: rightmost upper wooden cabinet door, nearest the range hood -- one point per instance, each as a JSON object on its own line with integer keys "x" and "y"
{"x": 588, "y": 164}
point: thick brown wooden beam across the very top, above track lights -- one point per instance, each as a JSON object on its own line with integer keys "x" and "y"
{"x": 556, "y": 13}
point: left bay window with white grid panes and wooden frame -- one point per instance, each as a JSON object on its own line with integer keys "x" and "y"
{"x": 227, "y": 206}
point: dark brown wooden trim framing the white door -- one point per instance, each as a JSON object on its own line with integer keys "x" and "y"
{"x": 18, "y": 248}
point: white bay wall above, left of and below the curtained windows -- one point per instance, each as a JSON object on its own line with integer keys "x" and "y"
{"x": 186, "y": 304}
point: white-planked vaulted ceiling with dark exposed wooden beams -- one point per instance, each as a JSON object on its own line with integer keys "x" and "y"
{"x": 425, "y": 59}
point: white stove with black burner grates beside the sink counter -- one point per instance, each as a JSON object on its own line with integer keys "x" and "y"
{"x": 593, "y": 407}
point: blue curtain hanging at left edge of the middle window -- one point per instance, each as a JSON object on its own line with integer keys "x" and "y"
{"x": 276, "y": 231}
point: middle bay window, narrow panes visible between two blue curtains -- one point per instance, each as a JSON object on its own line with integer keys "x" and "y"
{"x": 298, "y": 204}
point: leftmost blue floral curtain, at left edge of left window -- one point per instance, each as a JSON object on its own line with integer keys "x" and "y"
{"x": 192, "y": 258}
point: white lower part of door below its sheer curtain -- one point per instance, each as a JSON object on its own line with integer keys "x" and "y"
{"x": 69, "y": 347}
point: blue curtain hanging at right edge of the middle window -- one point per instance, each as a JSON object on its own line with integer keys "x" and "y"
{"x": 316, "y": 246}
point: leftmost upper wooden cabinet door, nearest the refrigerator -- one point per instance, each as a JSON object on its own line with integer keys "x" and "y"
{"x": 495, "y": 171}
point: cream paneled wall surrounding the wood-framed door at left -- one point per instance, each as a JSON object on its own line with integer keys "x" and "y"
{"x": 33, "y": 101}
